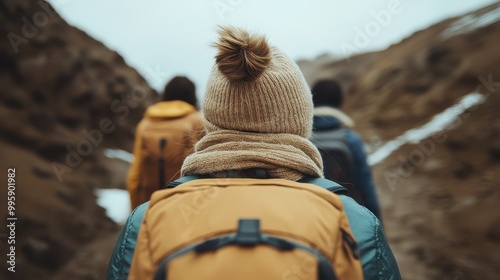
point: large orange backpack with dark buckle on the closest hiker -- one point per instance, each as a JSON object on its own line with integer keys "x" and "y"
{"x": 246, "y": 229}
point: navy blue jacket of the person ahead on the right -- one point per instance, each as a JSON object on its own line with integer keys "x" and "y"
{"x": 361, "y": 170}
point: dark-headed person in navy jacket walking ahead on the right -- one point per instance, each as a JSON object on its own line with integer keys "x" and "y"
{"x": 332, "y": 131}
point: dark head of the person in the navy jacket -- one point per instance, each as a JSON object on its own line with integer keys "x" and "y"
{"x": 327, "y": 93}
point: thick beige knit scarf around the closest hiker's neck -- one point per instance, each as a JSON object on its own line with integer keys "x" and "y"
{"x": 285, "y": 156}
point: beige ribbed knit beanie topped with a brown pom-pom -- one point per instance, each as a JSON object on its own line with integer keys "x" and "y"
{"x": 254, "y": 87}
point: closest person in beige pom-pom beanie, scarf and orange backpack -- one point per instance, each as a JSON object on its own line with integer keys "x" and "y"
{"x": 254, "y": 179}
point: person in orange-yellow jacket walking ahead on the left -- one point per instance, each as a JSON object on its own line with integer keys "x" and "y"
{"x": 163, "y": 139}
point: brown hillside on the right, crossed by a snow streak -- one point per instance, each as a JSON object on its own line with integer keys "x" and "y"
{"x": 437, "y": 195}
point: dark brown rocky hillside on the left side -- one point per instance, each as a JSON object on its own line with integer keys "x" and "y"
{"x": 65, "y": 97}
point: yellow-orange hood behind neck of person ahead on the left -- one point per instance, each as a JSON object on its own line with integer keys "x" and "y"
{"x": 169, "y": 110}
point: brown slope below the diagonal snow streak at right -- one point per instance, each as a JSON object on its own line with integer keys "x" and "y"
{"x": 439, "y": 198}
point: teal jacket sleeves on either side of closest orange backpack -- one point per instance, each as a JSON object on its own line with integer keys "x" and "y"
{"x": 376, "y": 255}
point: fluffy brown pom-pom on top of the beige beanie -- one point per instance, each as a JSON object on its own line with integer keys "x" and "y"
{"x": 241, "y": 57}
